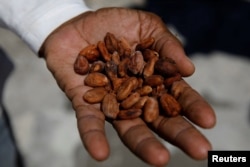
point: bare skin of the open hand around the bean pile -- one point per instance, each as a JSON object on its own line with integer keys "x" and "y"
{"x": 60, "y": 51}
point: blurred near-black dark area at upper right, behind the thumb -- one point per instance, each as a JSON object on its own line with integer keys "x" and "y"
{"x": 209, "y": 24}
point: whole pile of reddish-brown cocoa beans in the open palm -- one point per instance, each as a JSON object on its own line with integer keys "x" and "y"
{"x": 128, "y": 82}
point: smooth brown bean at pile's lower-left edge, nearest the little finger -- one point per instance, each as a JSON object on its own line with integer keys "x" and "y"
{"x": 95, "y": 95}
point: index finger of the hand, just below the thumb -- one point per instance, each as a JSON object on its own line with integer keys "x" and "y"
{"x": 194, "y": 107}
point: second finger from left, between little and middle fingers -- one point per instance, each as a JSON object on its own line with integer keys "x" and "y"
{"x": 140, "y": 140}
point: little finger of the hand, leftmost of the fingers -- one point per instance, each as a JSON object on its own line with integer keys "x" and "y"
{"x": 90, "y": 122}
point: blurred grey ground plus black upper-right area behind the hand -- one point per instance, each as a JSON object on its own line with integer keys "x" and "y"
{"x": 216, "y": 36}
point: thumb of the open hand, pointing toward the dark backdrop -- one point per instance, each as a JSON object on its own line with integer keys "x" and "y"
{"x": 169, "y": 46}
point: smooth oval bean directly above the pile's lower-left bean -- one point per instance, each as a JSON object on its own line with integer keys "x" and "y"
{"x": 96, "y": 79}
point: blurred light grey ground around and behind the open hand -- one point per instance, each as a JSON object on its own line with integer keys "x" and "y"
{"x": 45, "y": 123}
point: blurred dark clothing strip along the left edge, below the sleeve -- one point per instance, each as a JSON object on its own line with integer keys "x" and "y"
{"x": 9, "y": 152}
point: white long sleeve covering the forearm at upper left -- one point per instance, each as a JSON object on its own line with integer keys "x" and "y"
{"x": 34, "y": 20}
